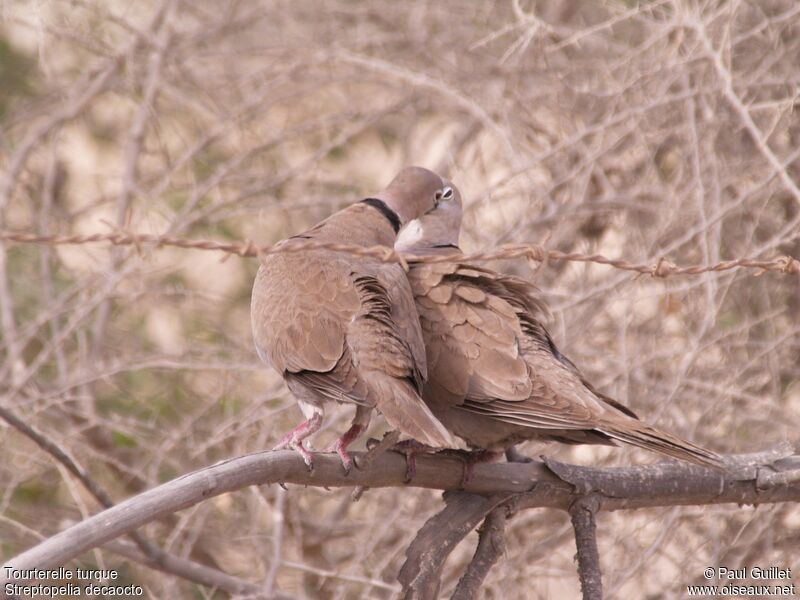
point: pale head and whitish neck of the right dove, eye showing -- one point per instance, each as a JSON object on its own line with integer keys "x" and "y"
{"x": 438, "y": 228}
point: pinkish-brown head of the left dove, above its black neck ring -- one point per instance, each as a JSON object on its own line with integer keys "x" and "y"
{"x": 413, "y": 192}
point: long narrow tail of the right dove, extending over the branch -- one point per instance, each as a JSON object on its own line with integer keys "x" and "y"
{"x": 639, "y": 434}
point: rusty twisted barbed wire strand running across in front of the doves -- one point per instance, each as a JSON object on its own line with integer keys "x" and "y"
{"x": 663, "y": 268}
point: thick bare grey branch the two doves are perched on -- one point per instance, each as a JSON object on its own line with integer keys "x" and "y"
{"x": 755, "y": 479}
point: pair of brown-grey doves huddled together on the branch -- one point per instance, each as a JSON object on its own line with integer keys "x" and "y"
{"x": 448, "y": 350}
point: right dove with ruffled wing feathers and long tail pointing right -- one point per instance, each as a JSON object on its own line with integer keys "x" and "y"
{"x": 495, "y": 377}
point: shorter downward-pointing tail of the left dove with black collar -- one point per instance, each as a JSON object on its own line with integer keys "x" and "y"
{"x": 403, "y": 409}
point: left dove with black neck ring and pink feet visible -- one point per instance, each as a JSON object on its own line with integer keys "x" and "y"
{"x": 343, "y": 327}
